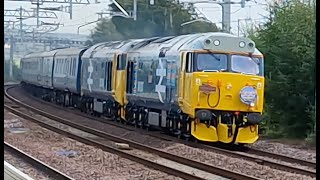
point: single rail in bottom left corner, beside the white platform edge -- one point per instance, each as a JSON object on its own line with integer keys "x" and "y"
{"x": 50, "y": 171}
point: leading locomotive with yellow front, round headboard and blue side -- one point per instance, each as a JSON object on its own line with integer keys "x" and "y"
{"x": 209, "y": 104}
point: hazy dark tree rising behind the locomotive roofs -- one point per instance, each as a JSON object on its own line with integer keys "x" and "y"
{"x": 162, "y": 19}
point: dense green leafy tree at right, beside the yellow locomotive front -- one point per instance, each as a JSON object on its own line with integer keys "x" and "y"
{"x": 288, "y": 43}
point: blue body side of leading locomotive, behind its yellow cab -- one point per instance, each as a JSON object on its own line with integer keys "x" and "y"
{"x": 151, "y": 76}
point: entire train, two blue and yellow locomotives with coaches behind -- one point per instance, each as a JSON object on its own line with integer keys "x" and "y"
{"x": 207, "y": 86}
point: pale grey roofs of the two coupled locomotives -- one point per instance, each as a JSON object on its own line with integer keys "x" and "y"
{"x": 172, "y": 44}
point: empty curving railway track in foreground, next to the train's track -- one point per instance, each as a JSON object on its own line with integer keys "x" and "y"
{"x": 194, "y": 165}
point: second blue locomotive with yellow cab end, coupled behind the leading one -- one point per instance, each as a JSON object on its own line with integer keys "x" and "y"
{"x": 103, "y": 75}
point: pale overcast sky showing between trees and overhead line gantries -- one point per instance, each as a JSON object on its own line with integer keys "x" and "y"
{"x": 83, "y": 14}
